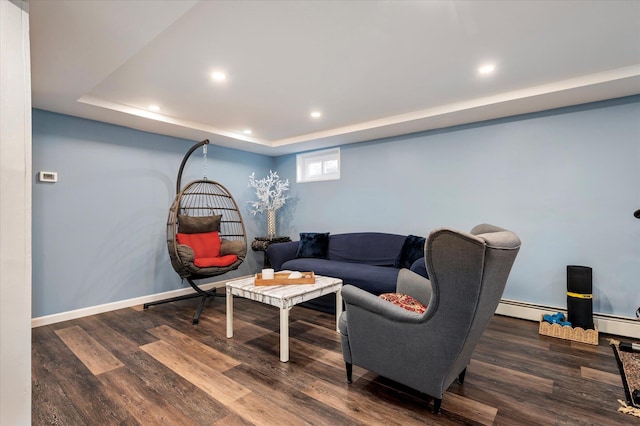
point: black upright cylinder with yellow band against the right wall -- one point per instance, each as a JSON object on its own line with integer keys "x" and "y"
{"x": 580, "y": 296}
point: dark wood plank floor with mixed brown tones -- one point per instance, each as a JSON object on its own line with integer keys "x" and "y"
{"x": 151, "y": 367}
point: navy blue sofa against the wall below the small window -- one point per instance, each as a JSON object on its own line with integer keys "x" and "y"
{"x": 368, "y": 260}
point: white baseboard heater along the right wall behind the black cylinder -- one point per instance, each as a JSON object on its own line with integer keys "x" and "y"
{"x": 605, "y": 323}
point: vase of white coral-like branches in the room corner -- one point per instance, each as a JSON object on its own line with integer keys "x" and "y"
{"x": 271, "y": 195}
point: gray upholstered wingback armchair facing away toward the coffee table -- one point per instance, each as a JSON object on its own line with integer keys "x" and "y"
{"x": 427, "y": 352}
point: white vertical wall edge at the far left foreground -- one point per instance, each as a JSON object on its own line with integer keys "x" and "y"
{"x": 15, "y": 213}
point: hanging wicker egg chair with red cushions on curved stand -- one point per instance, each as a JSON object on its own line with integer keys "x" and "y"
{"x": 205, "y": 233}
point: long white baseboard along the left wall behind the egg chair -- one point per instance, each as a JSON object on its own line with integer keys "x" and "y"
{"x": 107, "y": 307}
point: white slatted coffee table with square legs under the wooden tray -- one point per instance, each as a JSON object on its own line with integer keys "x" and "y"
{"x": 283, "y": 297}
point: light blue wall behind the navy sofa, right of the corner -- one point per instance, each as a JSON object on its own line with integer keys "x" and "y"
{"x": 567, "y": 181}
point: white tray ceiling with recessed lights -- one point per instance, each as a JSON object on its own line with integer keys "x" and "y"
{"x": 374, "y": 68}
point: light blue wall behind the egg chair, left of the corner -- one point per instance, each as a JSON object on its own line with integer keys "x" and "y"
{"x": 99, "y": 233}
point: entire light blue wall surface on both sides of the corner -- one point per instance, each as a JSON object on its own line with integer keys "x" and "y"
{"x": 567, "y": 181}
